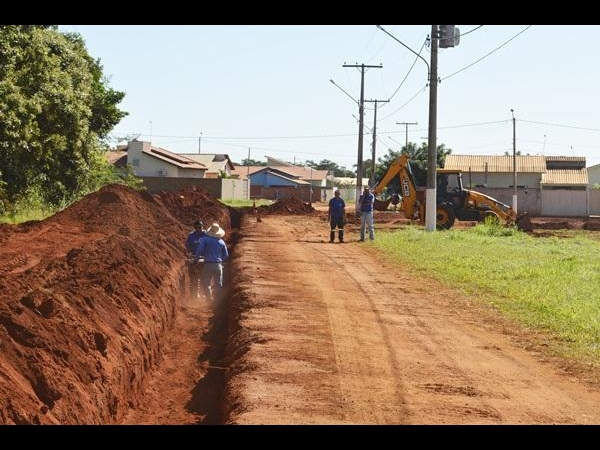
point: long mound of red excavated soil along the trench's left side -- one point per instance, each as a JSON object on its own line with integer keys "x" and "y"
{"x": 86, "y": 300}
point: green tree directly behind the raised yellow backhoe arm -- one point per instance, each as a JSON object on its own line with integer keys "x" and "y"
{"x": 418, "y": 163}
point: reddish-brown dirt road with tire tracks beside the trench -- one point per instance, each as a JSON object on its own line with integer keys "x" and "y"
{"x": 340, "y": 337}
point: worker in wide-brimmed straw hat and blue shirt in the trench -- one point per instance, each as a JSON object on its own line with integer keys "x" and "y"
{"x": 213, "y": 250}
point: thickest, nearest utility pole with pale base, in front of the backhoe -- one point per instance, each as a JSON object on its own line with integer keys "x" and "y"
{"x": 430, "y": 198}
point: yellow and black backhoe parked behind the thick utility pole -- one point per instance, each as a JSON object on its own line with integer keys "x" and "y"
{"x": 452, "y": 200}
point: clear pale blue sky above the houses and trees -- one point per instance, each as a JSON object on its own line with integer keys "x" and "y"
{"x": 263, "y": 90}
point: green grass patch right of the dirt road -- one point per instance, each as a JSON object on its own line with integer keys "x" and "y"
{"x": 549, "y": 284}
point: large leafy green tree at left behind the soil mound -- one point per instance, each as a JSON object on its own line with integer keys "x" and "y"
{"x": 55, "y": 110}
